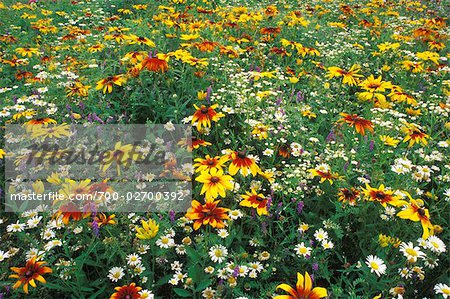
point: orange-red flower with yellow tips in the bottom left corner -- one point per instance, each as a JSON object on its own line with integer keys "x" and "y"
{"x": 27, "y": 275}
